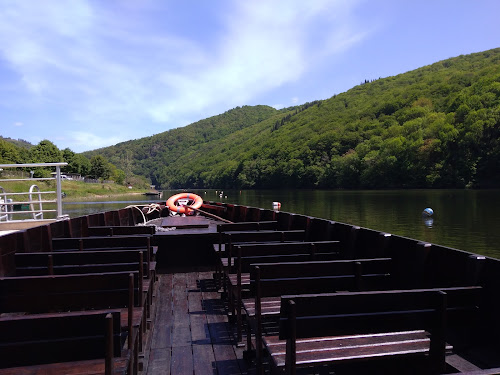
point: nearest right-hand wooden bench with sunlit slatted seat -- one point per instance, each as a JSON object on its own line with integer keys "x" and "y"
{"x": 368, "y": 329}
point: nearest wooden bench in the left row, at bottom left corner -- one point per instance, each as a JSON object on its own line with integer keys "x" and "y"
{"x": 83, "y": 342}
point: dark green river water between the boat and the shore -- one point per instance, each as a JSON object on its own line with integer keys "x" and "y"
{"x": 463, "y": 219}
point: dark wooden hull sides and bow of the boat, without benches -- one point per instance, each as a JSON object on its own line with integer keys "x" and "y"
{"x": 185, "y": 245}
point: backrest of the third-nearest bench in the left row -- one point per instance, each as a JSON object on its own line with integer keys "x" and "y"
{"x": 66, "y": 262}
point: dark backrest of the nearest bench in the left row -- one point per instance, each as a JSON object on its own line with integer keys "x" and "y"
{"x": 50, "y": 338}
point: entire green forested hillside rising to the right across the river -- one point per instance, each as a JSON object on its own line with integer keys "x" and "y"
{"x": 437, "y": 126}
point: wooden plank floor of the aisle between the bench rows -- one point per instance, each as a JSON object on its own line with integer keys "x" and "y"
{"x": 190, "y": 333}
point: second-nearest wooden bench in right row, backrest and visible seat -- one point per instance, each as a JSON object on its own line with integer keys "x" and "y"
{"x": 269, "y": 281}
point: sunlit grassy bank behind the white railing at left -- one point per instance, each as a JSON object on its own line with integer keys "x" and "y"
{"x": 72, "y": 189}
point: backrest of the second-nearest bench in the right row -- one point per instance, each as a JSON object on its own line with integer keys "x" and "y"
{"x": 275, "y": 279}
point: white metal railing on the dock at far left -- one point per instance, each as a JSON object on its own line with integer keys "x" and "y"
{"x": 34, "y": 194}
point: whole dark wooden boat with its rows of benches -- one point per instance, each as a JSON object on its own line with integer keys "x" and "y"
{"x": 404, "y": 306}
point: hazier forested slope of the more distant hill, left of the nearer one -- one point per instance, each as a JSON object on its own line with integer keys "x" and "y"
{"x": 155, "y": 157}
